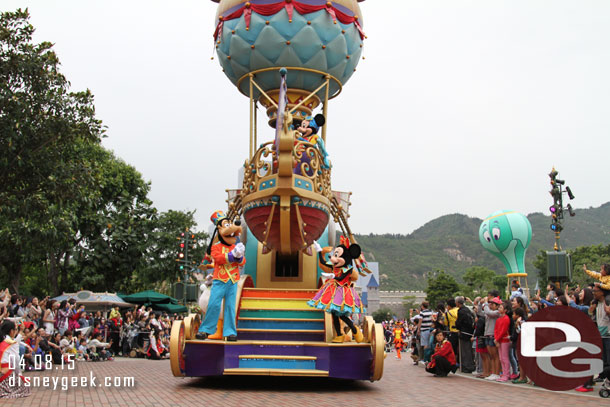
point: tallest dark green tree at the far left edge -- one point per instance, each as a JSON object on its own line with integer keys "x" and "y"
{"x": 43, "y": 130}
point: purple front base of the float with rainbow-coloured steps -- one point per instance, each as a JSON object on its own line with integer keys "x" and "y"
{"x": 278, "y": 334}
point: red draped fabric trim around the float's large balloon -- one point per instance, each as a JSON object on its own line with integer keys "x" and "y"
{"x": 289, "y": 5}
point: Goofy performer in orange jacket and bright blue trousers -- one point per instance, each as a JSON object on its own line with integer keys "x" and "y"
{"x": 228, "y": 255}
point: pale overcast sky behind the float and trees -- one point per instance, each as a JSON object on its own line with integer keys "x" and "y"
{"x": 459, "y": 106}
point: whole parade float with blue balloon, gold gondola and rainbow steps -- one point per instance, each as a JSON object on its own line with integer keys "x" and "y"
{"x": 290, "y": 57}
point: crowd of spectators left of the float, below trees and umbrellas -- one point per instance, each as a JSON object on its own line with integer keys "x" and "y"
{"x": 54, "y": 332}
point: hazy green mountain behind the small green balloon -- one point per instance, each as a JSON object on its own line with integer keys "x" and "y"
{"x": 451, "y": 243}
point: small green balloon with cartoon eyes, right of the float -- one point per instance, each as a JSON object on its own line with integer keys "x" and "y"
{"x": 507, "y": 234}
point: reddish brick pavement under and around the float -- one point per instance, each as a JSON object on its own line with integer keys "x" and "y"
{"x": 403, "y": 384}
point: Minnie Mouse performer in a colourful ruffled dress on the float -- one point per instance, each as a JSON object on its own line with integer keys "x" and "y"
{"x": 337, "y": 296}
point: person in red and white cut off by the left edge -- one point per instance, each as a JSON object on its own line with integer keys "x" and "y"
{"x": 12, "y": 383}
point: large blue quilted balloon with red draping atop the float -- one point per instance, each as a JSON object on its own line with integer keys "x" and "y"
{"x": 311, "y": 38}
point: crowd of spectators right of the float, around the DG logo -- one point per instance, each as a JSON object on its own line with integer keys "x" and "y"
{"x": 480, "y": 336}
